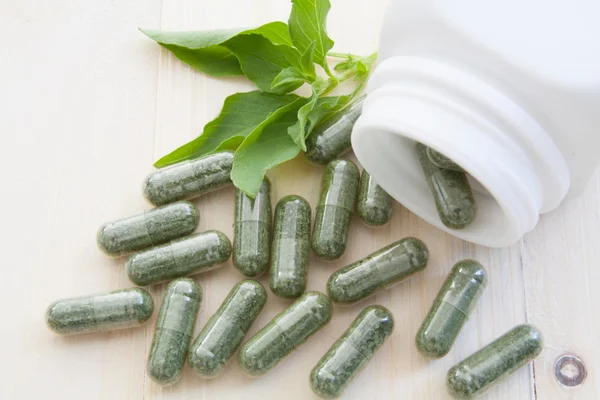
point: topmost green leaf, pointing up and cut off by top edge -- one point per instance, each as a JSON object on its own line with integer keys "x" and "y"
{"x": 307, "y": 24}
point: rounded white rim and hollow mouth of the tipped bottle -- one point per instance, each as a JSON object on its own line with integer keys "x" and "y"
{"x": 506, "y": 190}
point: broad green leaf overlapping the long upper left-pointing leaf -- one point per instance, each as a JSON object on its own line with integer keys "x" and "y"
{"x": 261, "y": 60}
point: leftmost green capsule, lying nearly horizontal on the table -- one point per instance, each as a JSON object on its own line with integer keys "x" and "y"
{"x": 100, "y": 312}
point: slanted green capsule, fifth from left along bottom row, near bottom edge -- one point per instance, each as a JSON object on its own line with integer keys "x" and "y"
{"x": 351, "y": 352}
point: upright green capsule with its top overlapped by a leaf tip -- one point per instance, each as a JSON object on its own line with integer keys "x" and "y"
{"x": 252, "y": 231}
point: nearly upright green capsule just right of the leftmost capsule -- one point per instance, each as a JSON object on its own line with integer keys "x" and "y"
{"x": 173, "y": 331}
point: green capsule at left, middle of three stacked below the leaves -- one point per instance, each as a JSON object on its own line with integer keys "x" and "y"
{"x": 148, "y": 229}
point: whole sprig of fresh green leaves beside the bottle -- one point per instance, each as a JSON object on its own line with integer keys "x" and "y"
{"x": 269, "y": 126}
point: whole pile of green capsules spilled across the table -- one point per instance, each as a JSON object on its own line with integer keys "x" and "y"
{"x": 164, "y": 249}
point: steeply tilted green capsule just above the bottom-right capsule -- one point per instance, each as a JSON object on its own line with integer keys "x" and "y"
{"x": 451, "y": 308}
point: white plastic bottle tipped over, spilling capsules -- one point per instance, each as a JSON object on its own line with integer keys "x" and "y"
{"x": 509, "y": 89}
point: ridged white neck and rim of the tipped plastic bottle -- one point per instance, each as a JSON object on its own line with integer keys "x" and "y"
{"x": 517, "y": 170}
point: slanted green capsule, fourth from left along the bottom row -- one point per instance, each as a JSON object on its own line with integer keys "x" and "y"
{"x": 285, "y": 333}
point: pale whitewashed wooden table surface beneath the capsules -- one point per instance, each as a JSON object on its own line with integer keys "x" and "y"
{"x": 88, "y": 103}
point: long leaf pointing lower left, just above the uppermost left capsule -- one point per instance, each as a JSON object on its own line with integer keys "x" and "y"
{"x": 242, "y": 115}
